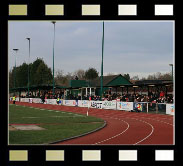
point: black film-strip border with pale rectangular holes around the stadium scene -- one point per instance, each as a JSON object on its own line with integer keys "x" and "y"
{"x": 73, "y": 154}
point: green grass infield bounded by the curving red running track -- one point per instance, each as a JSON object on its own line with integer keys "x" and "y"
{"x": 59, "y": 125}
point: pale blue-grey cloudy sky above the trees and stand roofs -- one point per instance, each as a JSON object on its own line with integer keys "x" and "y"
{"x": 134, "y": 47}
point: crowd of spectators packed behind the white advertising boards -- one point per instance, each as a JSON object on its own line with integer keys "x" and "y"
{"x": 135, "y": 97}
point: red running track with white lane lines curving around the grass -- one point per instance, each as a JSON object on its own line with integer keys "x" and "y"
{"x": 124, "y": 128}
